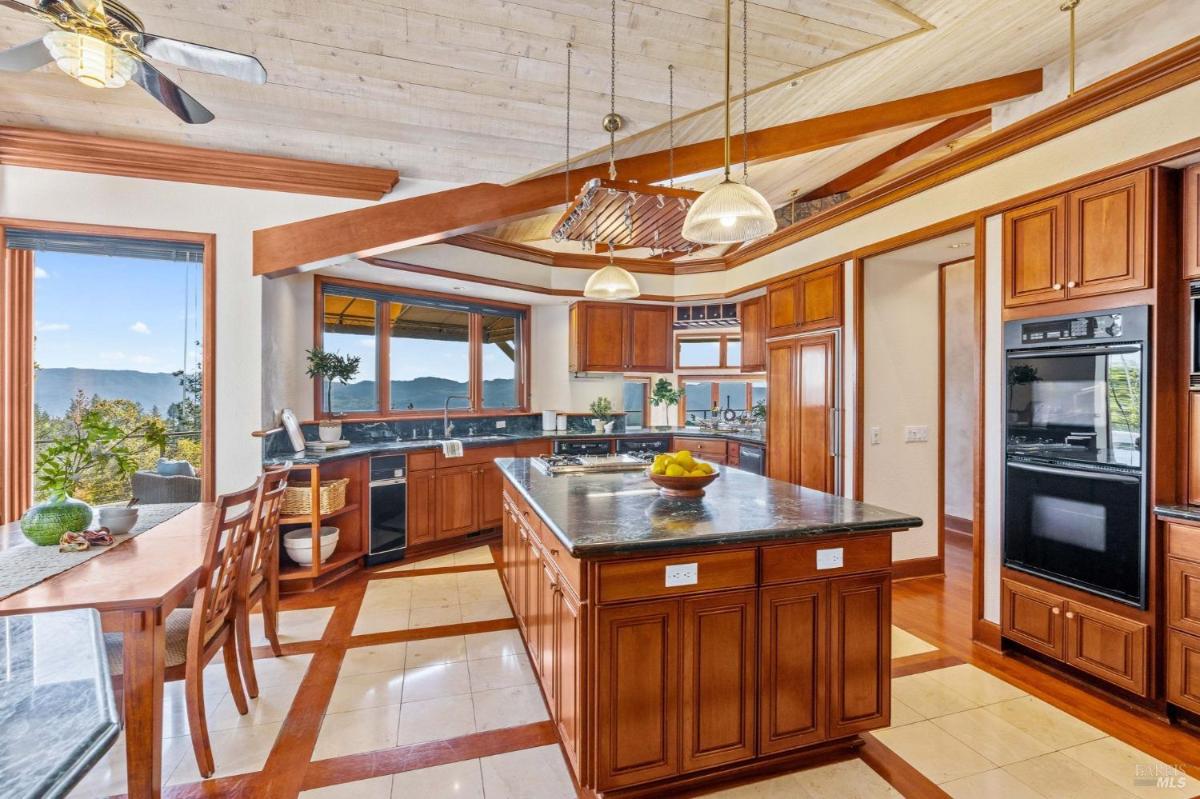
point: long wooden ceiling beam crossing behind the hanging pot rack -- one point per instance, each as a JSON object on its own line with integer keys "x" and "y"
{"x": 436, "y": 217}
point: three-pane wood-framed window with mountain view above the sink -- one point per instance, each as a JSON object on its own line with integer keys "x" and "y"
{"x": 425, "y": 351}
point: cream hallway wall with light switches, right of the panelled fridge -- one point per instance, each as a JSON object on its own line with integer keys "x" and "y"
{"x": 901, "y": 373}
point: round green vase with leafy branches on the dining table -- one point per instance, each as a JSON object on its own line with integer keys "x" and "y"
{"x": 92, "y": 444}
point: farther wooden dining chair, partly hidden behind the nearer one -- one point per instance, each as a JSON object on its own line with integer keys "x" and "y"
{"x": 261, "y": 575}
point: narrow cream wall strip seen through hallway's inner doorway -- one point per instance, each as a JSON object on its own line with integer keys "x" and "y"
{"x": 959, "y": 399}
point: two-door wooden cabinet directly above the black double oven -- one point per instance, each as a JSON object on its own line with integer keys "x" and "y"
{"x": 1091, "y": 242}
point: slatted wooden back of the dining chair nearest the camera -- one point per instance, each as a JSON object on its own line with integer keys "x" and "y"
{"x": 229, "y": 536}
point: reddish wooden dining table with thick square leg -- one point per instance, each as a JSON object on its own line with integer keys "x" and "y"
{"x": 135, "y": 587}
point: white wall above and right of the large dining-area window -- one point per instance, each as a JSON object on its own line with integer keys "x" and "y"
{"x": 232, "y": 214}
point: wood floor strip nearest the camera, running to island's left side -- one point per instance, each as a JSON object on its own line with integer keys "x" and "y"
{"x": 419, "y": 756}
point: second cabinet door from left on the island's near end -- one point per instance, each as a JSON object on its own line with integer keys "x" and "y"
{"x": 718, "y": 680}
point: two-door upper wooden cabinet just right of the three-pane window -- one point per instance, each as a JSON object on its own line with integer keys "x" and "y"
{"x": 622, "y": 338}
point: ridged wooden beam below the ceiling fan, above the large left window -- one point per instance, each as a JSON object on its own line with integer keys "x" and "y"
{"x": 45, "y": 149}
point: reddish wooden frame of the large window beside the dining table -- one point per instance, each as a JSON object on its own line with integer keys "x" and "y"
{"x": 208, "y": 326}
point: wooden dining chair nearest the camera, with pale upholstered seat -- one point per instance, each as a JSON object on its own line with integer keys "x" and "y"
{"x": 196, "y": 634}
